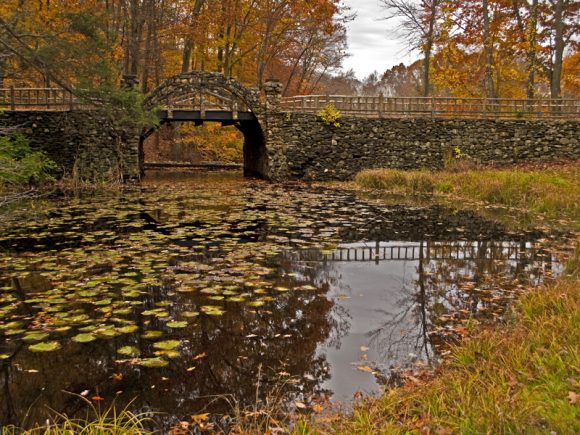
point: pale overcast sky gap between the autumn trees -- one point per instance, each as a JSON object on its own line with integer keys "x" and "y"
{"x": 372, "y": 42}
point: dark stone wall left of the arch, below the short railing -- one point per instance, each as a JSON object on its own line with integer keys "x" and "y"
{"x": 81, "y": 142}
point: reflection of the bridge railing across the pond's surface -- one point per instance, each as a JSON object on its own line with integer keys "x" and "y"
{"x": 432, "y": 250}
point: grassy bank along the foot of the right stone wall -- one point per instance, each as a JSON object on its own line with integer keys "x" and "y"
{"x": 553, "y": 192}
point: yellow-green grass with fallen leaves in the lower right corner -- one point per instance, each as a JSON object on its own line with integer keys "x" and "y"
{"x": 519, "y": 378}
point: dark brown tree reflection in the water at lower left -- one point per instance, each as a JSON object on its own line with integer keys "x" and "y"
{"x": 220, "y": 355}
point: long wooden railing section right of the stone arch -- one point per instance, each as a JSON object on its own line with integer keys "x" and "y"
{"x": 435, "y": 107}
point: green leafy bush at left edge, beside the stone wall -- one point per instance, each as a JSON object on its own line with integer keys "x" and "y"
{"x": 20, "y": 165}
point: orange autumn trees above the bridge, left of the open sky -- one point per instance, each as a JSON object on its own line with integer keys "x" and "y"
{"x": 95, "y": 42}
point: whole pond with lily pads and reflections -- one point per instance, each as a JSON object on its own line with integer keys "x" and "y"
{"x": 181, "y": 294}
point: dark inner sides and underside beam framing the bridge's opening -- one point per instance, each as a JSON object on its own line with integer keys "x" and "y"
{"x": 254, "y": 149}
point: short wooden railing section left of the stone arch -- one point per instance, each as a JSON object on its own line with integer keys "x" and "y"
{"x": 51, "y": 99}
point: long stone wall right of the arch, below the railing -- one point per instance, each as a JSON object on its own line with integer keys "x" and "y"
{"x": 313, "y": 150}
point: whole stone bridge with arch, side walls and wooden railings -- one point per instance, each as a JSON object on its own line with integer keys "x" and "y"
{"x": 287, "y": 139}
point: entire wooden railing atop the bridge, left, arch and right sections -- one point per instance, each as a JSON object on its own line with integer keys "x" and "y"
{"x": 57, "y": 99}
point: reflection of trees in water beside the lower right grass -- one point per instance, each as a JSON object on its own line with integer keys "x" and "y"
{"x": 450, "y": 290}
